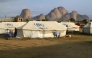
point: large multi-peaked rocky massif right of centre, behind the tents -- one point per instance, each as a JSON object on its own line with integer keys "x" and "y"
{"x": 61, "y": 13}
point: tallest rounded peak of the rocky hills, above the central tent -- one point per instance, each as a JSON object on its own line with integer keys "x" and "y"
{"x": 57, "y": 13}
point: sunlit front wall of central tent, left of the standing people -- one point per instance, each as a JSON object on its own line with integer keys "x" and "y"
{"x": 37, "y": 34}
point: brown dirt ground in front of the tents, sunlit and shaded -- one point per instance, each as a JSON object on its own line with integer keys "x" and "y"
{"x": 78, "y": 46}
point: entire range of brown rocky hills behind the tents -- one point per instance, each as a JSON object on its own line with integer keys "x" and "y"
{"x": 59, "y": 13}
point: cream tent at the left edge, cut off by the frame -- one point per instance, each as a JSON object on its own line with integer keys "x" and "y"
{"x": 5, "y": 26}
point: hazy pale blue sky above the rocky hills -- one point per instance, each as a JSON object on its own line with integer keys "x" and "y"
{"x": 14, "y": 7}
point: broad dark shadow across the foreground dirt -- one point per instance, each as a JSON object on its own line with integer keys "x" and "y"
{"x": 69, "y": 50}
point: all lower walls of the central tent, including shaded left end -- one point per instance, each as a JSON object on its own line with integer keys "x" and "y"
{"x": 38, "y": 34}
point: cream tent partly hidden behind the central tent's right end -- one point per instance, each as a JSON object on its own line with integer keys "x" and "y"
{"x": 70, "y": 26}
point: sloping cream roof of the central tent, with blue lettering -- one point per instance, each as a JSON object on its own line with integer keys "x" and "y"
{"x": 46, "y": 25}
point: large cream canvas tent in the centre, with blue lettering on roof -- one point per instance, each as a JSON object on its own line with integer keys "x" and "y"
{"x": 40, "y": 29}
